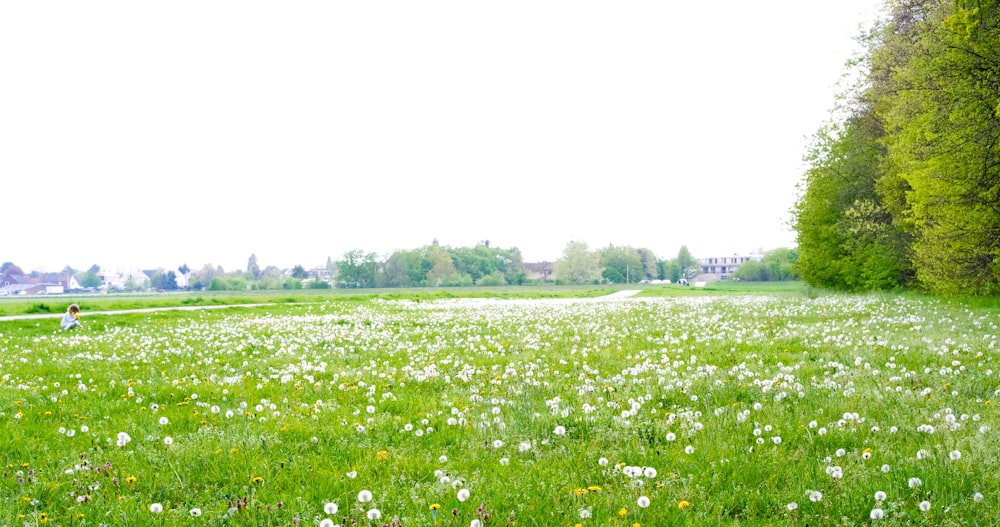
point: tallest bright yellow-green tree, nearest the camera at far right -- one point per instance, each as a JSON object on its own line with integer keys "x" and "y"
{"x": 941, "y": 103}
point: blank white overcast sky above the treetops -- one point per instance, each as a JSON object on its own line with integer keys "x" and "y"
{"x": 152, "y": 134}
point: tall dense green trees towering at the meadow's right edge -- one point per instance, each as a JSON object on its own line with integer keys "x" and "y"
{"x": 902, "y": 188}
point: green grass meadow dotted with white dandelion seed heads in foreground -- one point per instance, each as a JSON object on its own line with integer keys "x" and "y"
{"x": 749, "y": 410}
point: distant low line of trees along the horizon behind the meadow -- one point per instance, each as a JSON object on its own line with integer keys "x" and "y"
{"x": 435, "y": 265}
